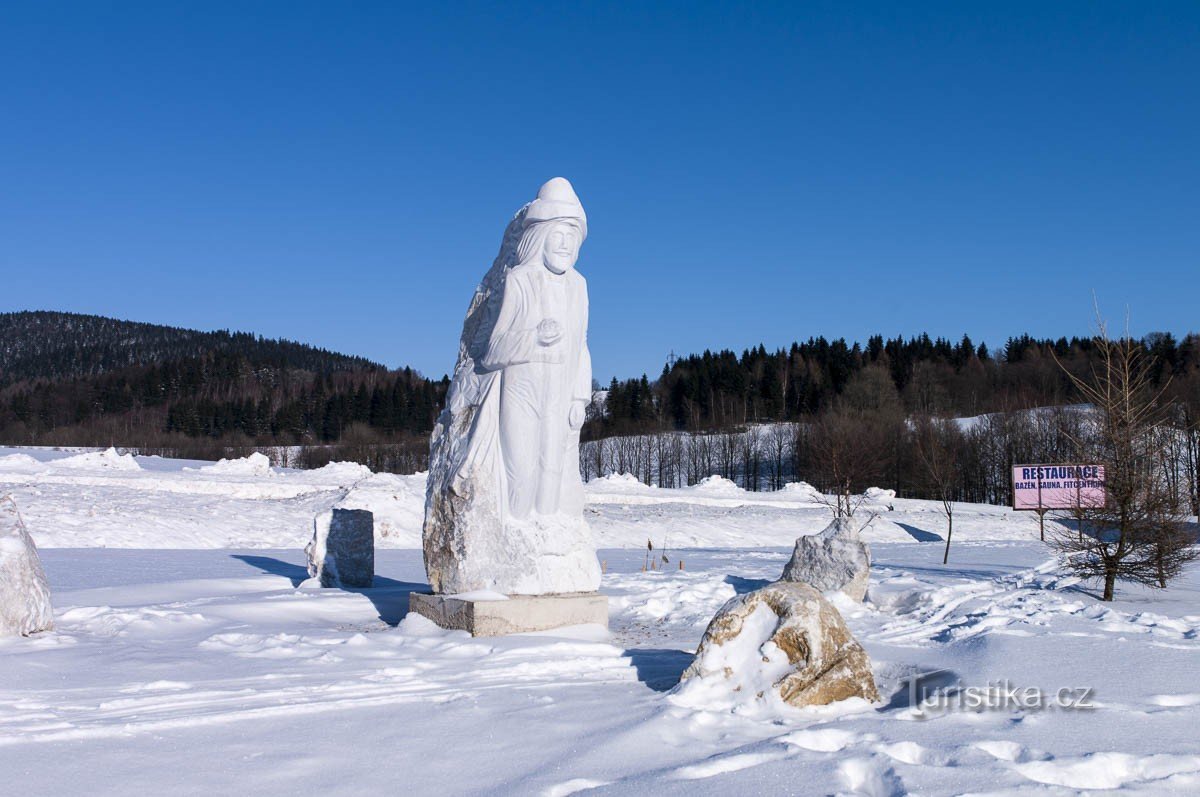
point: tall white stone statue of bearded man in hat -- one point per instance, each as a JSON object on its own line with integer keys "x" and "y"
{"x": 505, "y": 504}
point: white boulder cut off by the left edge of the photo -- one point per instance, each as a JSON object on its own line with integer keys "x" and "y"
{"x": 25, "y": 595}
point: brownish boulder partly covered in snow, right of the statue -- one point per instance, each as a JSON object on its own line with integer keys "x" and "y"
{"x": 784, "y": 642}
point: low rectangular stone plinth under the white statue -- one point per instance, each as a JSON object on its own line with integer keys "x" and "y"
{"x": 517, "y": 615}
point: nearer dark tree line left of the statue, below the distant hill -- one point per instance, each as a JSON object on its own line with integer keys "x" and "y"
{"x": 220, "y": 395}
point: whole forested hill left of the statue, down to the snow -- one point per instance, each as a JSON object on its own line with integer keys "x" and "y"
{"x": 69, "y": 380}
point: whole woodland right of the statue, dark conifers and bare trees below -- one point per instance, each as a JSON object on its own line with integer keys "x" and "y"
{"x": 877, "y": 433}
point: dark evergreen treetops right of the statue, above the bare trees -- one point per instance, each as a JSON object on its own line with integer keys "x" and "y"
{"x": 712, "y": 392}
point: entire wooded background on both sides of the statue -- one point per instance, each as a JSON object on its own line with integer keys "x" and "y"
{"x": 761, "y": 418}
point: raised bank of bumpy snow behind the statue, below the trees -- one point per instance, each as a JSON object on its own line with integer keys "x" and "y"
{"x": 83, "y": 501}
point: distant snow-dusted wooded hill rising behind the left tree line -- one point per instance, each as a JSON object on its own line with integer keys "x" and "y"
{"x": 53, "y": 346}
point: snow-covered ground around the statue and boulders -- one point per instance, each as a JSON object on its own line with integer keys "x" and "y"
{"x": 187, "y": 661}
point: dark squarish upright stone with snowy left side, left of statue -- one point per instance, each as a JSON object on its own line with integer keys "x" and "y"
{"x": 341, "y": 553}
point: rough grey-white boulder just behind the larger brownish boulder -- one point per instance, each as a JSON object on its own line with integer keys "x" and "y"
{"x": 833, "y": 560}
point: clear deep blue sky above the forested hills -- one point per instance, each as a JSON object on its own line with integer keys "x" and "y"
{"x": 341, "y": 173}
